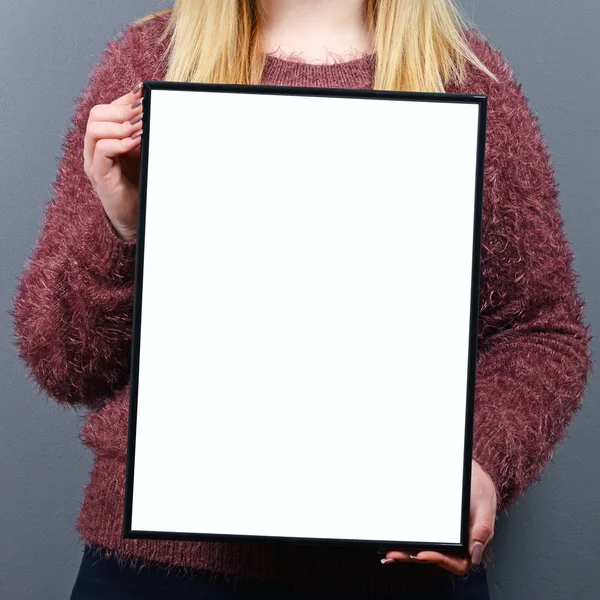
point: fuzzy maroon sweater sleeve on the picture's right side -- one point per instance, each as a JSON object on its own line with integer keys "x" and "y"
{"x": 534, "y": 349}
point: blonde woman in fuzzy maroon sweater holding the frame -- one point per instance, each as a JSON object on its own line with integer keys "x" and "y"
{"x": 73, "y": 308}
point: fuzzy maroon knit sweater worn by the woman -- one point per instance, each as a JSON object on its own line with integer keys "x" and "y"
{"x": 73, "y": 317}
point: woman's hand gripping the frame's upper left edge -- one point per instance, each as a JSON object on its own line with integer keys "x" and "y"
{"x": 112, "y": 158}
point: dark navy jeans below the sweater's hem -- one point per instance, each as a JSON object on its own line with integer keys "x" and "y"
{"x": 100, "y": 578}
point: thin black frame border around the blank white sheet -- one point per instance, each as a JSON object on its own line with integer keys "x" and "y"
{"x": 481, "y": 101}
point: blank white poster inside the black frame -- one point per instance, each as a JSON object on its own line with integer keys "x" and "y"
{"x": 305, "y": 316}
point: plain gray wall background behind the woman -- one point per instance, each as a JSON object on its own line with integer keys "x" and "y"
{"x": 546, "y": 548}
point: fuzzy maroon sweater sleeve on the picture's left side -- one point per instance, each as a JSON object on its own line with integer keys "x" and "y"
{"x": 72, "y": 310}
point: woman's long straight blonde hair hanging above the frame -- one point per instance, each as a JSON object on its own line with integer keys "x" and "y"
{"x": 419, "y": 45}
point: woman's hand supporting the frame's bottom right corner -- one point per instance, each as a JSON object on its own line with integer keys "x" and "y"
{"x": 481, "y": 529}
